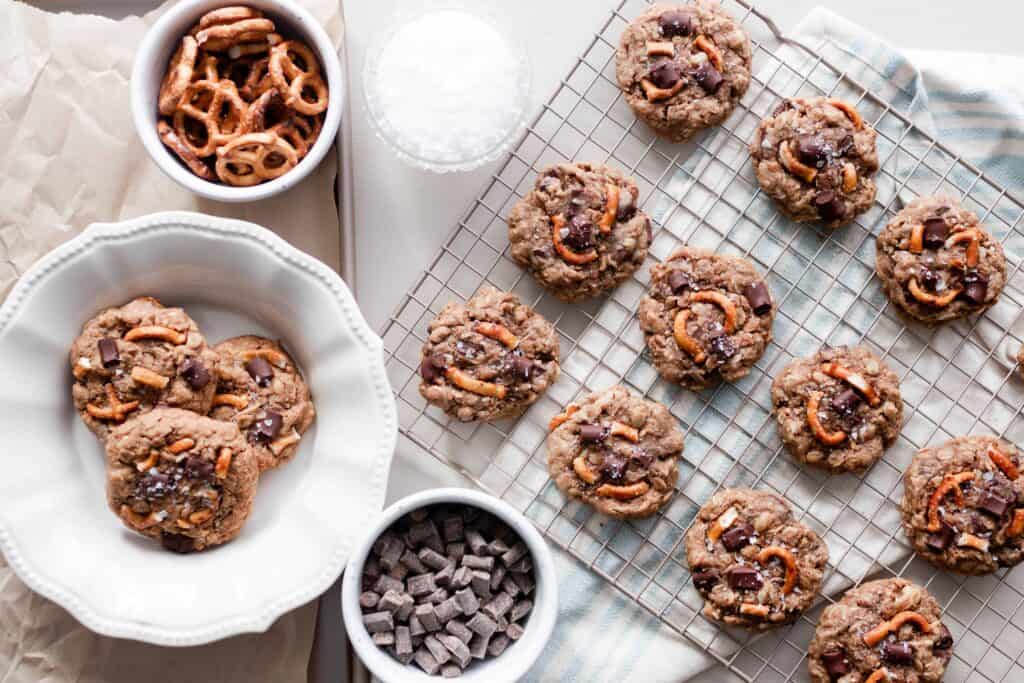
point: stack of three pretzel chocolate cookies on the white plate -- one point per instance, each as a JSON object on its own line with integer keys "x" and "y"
{"x": 188, "y": 429}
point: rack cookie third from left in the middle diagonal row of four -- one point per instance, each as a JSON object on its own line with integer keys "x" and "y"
{"x": 838, "y": 410}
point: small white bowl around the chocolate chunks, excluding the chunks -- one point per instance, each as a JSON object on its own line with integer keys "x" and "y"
{"x": 520, "y": 657}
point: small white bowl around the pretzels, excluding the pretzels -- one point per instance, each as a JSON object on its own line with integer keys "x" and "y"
{"x": 151, "y": 64}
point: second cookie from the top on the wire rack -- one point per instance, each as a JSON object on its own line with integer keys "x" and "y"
{"x": 817, "y": 158}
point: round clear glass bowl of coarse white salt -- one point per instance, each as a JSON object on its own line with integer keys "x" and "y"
{"x": 447, "y": 90}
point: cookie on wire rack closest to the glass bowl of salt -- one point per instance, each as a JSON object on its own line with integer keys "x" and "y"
{"x": 579, "y": 232}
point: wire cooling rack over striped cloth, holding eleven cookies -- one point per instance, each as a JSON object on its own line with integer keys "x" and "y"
{"x": 956, "y": 379}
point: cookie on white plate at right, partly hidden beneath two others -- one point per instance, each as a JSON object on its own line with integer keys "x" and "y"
{"x": 261, "y": 390}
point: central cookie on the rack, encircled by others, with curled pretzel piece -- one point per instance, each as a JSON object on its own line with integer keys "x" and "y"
{"x": 706, "y": 318}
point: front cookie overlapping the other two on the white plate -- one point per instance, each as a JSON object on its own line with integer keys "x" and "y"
{"x": 180, "y": 478}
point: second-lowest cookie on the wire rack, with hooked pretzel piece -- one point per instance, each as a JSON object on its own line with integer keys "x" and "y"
{"x": 755, "y": 565}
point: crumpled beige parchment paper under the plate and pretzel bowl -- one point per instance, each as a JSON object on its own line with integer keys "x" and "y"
{"x": 69, "y": 157}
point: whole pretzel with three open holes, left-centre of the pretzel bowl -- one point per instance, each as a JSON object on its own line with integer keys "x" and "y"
{"x": 217, "y": 107}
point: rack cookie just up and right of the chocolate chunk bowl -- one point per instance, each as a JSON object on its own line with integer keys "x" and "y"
{"x": 616, "y": 452}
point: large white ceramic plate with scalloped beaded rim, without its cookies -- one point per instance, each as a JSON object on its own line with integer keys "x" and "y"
{"x": 233, "y": 278}
